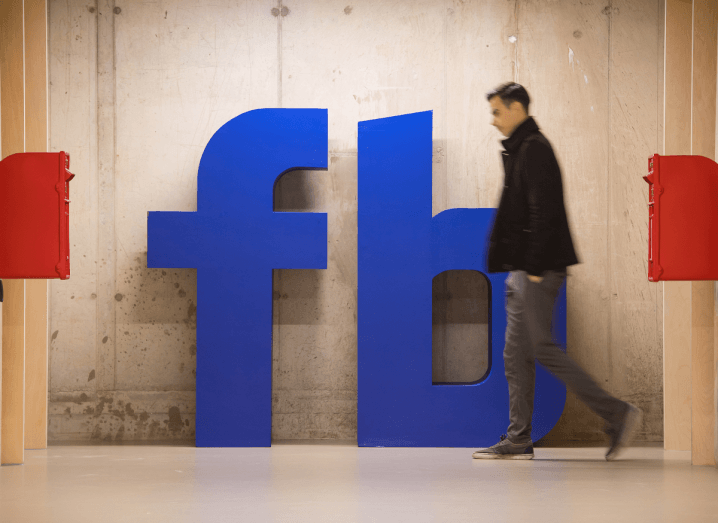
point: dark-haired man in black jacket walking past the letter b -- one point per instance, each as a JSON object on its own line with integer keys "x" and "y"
{"x": 531, "y": 240}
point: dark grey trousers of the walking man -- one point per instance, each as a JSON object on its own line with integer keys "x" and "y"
{"x": 529, "y": 310}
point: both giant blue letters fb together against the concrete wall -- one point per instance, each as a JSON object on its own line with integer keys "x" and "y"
{"x": 235, "y": 239}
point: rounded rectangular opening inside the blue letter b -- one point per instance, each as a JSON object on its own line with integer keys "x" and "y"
{"x": 460, "y": 327}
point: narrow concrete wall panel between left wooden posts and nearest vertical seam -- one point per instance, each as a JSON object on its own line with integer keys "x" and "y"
{"x": 73, "y": 128}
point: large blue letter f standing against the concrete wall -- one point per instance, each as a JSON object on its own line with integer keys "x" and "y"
{"x": 235, "y": 240}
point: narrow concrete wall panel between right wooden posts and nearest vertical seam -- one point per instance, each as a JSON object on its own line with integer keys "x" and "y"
{"x": 636, "y": 305}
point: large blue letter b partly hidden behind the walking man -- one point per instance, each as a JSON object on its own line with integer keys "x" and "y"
{"x": 401, "y": 248}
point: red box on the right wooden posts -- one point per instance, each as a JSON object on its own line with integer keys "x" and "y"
{"x": 683, "y": 218}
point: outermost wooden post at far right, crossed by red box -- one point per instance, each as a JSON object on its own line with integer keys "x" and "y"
{"x": 705, "y": 54}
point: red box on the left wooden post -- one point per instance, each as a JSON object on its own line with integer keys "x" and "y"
{"x": 34, "y": 216}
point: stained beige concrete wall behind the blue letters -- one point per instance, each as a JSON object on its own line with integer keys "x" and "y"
{"x": 138, "y": 88}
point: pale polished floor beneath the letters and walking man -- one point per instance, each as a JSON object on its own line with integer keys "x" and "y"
{"x": 343, "y": 483}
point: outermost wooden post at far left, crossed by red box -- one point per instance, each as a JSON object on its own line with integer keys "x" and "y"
{"x": 13, "y": 314}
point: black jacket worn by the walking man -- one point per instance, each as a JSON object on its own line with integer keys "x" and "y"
{"x": 530, "y": 231}
